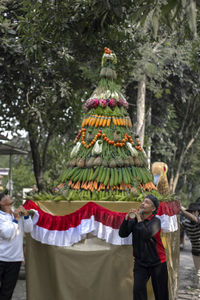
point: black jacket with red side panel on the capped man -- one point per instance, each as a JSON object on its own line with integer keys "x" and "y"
{"x": 148, "y": 249}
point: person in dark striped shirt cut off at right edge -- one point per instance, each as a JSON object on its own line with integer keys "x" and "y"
{"x": 191, "y": 225}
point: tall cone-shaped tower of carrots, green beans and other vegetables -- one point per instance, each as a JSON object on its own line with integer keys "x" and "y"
{"x": 106, "y": 160}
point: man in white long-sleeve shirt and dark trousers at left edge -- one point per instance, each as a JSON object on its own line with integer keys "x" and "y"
{"x": 13, "y": 223}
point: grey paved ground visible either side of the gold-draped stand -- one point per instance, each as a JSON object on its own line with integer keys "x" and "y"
{"x": 187, "y": 290}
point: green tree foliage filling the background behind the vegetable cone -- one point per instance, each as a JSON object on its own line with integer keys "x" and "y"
{"x": 50, "y": 58}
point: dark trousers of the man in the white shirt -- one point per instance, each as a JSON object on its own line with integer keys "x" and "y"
{"x": 9, "y": 272}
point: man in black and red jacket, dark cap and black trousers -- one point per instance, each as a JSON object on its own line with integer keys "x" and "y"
{"x": 148, "y": 250}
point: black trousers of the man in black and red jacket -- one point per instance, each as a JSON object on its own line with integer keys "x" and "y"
{"x": 159, "y": 278}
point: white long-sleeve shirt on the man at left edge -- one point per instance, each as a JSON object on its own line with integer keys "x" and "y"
{"x": 11, "y": 236}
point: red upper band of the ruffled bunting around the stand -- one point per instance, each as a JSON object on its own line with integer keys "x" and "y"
{"x": 105, "y": 216}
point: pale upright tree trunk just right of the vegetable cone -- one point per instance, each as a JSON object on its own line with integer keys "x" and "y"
{"x": 140, "y": 128}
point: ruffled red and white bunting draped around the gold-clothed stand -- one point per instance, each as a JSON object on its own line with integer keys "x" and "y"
{"x": 91, "y": 218}
